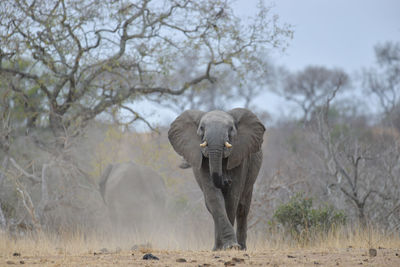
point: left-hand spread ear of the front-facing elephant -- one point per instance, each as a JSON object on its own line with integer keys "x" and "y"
{"x": 184, "y": 139}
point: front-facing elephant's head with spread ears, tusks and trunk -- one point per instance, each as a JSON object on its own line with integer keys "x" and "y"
{"x": 215, "y": 135}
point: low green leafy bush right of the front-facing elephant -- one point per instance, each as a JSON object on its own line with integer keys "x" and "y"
{"x": 300, "y": 219}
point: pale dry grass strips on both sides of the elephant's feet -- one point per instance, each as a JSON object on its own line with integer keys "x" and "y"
{"x": 42, "y": 243}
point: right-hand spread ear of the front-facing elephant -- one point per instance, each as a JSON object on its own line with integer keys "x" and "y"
{"x": 249, "y": 137}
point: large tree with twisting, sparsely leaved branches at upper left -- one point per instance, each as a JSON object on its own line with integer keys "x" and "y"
{"x": 85, "y": 57}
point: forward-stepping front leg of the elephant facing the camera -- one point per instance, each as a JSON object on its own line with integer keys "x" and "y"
{"x": 225, "y": 237}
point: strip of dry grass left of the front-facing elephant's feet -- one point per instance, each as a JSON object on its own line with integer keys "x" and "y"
{"x": 77, "y": 242}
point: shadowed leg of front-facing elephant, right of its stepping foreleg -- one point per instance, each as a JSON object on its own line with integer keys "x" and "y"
{"x": 241, "y": 217}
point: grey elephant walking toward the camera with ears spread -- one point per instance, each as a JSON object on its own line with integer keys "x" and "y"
{"x": 224, "y": 150}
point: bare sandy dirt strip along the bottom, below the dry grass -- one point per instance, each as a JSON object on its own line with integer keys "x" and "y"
{"x": 311, "y": 257}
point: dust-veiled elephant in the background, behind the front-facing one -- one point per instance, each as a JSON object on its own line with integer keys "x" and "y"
{"x": 134, "y": 194}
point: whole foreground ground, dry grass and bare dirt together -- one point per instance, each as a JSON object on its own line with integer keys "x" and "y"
{"x": 344, "y": 247}
